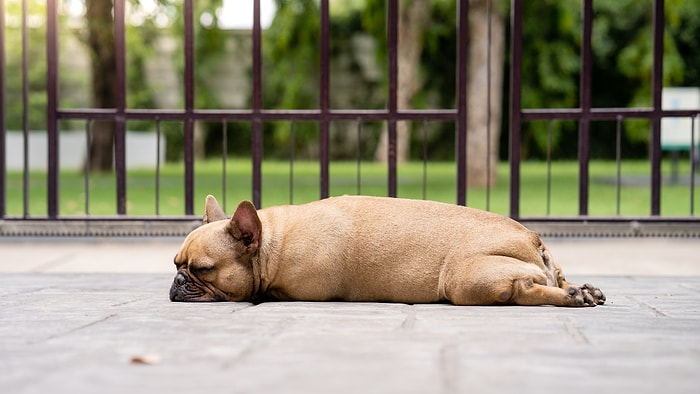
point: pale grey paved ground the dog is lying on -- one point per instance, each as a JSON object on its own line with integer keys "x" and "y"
{"x": 85, "y": 315}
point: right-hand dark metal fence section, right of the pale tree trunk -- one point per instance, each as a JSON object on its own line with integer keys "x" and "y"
{"x": 586, "y": 114}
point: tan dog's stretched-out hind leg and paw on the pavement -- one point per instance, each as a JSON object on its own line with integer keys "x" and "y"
{"x": 488, "y": 280}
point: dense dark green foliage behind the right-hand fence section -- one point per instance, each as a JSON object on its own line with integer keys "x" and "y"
{"x": 622, "y": 66}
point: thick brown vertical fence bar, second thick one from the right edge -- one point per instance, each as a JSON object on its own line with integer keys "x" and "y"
{"x": 585, "y": 103}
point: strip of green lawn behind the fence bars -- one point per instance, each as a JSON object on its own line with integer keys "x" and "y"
{"x": 440, "y": 185}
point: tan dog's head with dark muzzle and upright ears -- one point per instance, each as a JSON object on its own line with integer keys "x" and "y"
{"x": 214, "y": 262}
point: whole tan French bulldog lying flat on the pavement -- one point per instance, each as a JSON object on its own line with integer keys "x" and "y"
{"x": 357, "y": 248}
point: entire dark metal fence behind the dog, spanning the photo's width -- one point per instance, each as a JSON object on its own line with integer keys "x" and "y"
{"x": 125, "y": 224}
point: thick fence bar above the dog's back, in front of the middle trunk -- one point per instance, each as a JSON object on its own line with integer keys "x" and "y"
{"x": 393, "y": 42}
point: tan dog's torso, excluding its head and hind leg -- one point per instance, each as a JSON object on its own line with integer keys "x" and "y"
{"x": 371, "y": 248}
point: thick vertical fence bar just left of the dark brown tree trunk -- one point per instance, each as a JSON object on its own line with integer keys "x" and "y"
{"x": 52, "y": 106}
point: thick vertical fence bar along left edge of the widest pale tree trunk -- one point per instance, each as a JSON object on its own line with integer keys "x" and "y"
{"x": 462, "y": 58}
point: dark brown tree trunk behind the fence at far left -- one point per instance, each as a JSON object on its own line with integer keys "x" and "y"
{"x": 100, "y": 26}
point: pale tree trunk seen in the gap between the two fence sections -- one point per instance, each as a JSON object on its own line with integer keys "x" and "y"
{"x": 483, "y": 121}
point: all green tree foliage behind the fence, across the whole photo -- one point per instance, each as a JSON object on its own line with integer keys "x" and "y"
{"x": 622, "y": 45}
